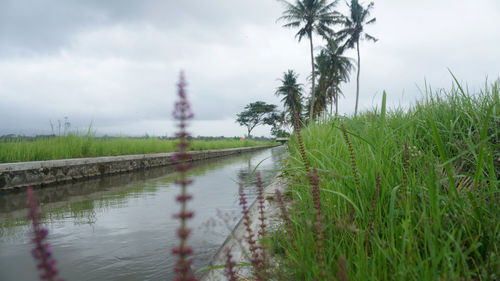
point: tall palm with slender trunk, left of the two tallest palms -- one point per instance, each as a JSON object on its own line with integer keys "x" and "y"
{"x": 310, "y": 16}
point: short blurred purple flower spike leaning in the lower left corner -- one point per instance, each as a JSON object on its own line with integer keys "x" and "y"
{"x": 42, "y": 251}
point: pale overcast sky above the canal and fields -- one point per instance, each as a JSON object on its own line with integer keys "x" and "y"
{"x": 113, "y": 65}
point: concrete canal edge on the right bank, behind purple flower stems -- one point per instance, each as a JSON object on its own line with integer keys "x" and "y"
{"x": 236, "y": 242}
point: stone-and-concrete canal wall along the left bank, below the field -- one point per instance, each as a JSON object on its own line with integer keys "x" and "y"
{"x": 16, "y": 176}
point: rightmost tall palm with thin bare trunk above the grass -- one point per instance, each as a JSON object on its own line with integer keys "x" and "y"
{"x": 353, "y": 31}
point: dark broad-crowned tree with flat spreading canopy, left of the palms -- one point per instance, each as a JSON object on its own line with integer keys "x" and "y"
{"x": 257, "y": 113}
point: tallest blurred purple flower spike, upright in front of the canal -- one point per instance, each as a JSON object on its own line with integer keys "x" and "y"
{"x": 183, "y": 113}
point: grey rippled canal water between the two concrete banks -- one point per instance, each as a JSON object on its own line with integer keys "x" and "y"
{"x": 121, "y": 227}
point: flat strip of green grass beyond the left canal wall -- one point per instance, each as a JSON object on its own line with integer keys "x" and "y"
{"x": 77, "y": 146}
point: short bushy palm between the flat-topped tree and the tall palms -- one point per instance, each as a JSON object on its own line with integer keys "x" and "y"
{"x": 291, "y": 92}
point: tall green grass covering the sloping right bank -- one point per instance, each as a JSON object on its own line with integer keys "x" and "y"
{"x": 403, "y": 195}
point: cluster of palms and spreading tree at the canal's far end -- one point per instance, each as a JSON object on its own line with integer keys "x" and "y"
{"x": 329, "y": 69}
